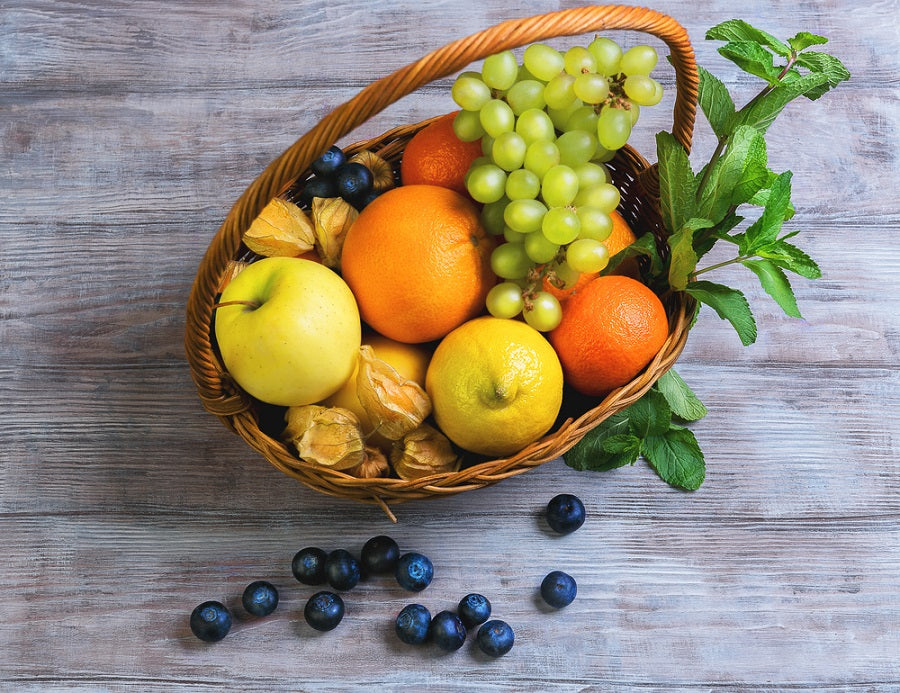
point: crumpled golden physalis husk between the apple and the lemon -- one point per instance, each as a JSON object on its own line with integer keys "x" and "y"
{"x": 394, "y": 404}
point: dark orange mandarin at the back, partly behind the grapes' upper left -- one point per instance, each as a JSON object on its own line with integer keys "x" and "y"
{"x": 436, "y": 156}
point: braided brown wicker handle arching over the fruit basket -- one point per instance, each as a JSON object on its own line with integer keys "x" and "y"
{"x": 378, "y": 95}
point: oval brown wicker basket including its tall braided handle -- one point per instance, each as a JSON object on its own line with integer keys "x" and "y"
{"x": 637, "y": 182}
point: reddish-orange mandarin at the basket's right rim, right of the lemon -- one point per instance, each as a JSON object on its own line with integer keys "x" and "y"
{"x": 610, "y": 331}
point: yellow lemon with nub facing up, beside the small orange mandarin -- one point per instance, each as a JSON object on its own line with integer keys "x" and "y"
{"x": 495, "y": 385}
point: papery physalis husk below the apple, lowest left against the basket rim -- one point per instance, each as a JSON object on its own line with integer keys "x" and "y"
{"x": 329, "y": 436}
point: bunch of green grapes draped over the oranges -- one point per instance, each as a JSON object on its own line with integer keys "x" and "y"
{"x": 547, "y": 127}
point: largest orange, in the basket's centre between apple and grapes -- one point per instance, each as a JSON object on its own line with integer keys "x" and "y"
{"x": 418, "y": 261}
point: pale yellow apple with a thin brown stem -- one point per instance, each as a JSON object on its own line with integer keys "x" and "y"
{"x": 288, "y": 330}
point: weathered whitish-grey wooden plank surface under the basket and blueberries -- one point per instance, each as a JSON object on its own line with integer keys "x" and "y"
{"x": 126, "y": 132}
